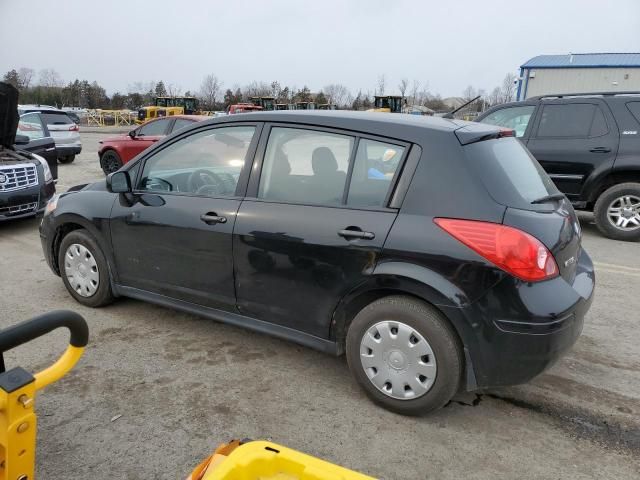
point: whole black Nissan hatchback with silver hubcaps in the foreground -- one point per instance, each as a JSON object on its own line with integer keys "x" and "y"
{"x": 437, "y": 254}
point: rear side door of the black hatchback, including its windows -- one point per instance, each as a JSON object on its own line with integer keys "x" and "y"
{"x": 313, "y": 223}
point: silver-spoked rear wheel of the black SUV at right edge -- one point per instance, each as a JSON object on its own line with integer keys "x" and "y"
{"x": 617, "y": 212}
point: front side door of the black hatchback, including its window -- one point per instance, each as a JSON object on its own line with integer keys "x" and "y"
{"x": 173, "y": 235}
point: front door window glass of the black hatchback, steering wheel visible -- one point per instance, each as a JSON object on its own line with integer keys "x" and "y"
{"x": 206, "y": 163}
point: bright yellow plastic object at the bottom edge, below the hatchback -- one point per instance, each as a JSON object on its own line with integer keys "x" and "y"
{"x": 268, "y": 461}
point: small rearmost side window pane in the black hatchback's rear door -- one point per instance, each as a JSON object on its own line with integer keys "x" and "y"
{"x": 373, "y": 170}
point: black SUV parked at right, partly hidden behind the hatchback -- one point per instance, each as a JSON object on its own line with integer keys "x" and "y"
{"x": 589, "y": 144}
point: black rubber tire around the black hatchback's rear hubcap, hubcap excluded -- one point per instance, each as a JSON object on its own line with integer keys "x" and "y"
{"x": 435, "y": 329}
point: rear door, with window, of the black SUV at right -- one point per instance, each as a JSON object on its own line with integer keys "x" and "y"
{"x": 574, "y": 139}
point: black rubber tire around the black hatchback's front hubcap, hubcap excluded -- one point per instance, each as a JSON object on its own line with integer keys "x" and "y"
{"x": 103, "y": 294}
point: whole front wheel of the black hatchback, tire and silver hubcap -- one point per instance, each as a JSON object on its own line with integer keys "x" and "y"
{"x": 84, "y": 269}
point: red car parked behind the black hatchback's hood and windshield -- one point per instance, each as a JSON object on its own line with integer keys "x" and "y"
{"x": 116, "y": 151}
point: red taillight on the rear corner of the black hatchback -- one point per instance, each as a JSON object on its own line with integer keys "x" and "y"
{"x": 510, "y": 249}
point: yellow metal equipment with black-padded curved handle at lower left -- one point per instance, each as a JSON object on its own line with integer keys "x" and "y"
{"x": 18, "y": 389}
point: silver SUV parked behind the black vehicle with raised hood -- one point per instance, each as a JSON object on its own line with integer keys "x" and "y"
{"x": 65, "y": 132}
